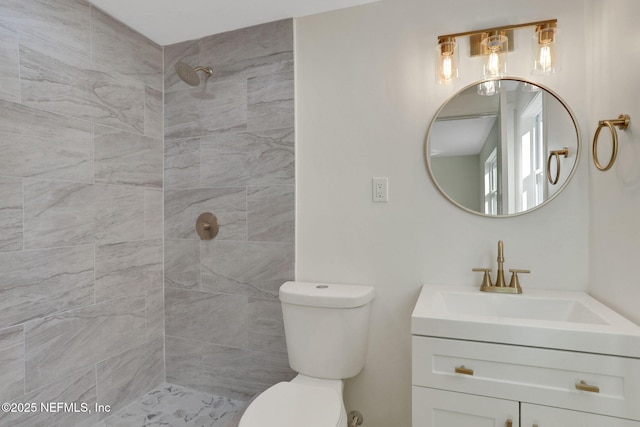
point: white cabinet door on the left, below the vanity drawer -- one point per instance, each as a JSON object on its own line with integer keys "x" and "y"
{"x": 439, "y": 408}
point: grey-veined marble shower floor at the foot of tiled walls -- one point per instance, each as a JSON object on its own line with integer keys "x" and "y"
{"x": 176, "y": 406}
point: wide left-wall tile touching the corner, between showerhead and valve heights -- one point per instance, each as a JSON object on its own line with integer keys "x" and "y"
{"x": 127, "y": 158}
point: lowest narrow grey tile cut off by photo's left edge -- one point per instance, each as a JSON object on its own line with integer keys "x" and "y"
{"x": 11, "y": 363}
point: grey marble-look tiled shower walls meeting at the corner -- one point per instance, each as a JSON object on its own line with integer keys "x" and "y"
{"x": 105, "y": 290}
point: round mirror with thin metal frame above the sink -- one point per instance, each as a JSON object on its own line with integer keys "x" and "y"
{"x": 502, "y": 147}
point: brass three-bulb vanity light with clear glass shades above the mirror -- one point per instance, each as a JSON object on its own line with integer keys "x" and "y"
{"x": 493, "y": 44}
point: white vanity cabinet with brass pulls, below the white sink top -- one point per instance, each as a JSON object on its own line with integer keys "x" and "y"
{"x": 459, "y": 383}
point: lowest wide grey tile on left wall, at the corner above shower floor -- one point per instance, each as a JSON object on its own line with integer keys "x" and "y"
{"x": 124, "y": 377}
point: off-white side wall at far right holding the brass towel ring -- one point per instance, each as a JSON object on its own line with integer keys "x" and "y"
{"x": 615, "y": 194}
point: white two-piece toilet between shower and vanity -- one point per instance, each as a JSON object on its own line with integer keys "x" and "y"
{"x": 326, "y": 328}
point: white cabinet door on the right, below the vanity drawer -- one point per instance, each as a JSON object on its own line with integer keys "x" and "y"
{"x": 544, "y": 416}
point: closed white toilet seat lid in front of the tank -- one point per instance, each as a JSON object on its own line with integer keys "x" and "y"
{"x": 291, "y": 404}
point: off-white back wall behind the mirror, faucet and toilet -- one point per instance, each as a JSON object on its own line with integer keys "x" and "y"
{"x": 365, "y": 94}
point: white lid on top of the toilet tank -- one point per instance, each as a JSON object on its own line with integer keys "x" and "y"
{"x": 326, "y": 295}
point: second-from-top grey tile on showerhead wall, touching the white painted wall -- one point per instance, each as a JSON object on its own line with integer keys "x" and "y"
{"x": 270, "y": 102}
